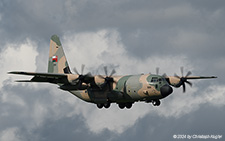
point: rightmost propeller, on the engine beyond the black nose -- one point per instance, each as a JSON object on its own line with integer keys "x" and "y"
{"x": 183, "y": 79}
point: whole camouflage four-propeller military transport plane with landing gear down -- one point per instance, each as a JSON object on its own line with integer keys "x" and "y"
{"x": 103, "y": 90}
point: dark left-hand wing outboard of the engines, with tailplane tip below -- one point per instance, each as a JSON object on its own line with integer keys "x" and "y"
{"x": 43, "y": 77}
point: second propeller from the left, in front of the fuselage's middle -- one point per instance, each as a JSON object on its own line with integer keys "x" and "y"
{"x": 108, "y": 78}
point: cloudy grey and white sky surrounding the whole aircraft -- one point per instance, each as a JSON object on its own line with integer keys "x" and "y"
{"x": 131, "y": 36}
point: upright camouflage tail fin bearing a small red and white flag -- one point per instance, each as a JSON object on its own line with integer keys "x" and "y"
{"x": 57, "y": 60}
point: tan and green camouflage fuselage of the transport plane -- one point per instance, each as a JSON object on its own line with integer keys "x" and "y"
{"x": 130, "y": 88}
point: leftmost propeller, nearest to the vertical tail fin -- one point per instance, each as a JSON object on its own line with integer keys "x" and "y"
{"x": 81, "y": 77}
